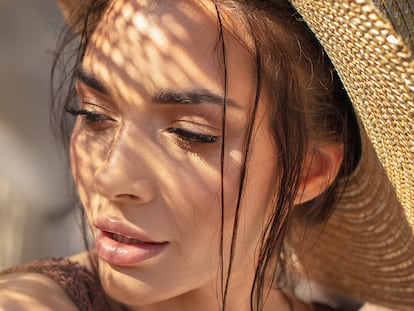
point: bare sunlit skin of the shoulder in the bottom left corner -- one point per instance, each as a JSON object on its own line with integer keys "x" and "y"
{"x": 32, "y": 291}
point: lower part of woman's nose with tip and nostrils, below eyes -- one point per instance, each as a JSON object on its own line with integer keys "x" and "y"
{"x": 121, "y": 177}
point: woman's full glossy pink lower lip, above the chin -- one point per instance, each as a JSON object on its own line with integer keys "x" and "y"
{"x": 123, "y": 254}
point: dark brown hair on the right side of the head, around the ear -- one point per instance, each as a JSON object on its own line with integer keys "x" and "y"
{"x": 308, "y": 107}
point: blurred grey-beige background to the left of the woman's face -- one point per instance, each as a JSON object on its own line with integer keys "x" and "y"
{"x": 36, "y": 216}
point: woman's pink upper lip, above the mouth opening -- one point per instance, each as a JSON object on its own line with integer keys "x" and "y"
{"x": 107, "y": 224}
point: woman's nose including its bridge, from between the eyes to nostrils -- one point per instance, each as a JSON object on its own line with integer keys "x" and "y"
{"x": 123, "y": 174}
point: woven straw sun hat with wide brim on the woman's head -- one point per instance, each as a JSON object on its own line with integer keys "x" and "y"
{"x": 366, "y": 250}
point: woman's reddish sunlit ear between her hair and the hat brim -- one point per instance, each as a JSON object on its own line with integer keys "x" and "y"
{"x": 321, "y": 167}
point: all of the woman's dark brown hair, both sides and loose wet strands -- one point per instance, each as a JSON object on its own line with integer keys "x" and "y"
{"x": 308, "y": 106}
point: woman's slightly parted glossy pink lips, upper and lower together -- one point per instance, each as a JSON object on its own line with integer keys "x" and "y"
{"x": 120, "y": 244}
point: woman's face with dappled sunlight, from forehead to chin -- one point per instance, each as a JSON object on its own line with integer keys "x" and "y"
{"x": 146, "y": 152}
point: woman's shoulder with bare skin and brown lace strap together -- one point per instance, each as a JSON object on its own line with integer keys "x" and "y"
{"x": 49, "y": 284}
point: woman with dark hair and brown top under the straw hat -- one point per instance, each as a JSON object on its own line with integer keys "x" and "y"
{"x": 213, "y": 140}
